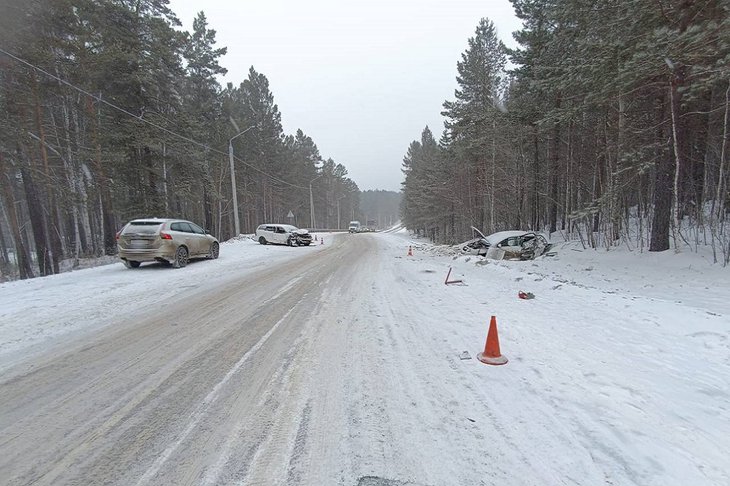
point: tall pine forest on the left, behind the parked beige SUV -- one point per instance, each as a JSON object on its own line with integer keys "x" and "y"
{"x": 109, "y": 111}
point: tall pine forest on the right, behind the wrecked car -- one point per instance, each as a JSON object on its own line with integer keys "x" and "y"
{"x": 611, "y": 126}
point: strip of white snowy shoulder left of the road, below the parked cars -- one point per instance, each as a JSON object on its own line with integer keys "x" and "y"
{"x": 39, "y": 312}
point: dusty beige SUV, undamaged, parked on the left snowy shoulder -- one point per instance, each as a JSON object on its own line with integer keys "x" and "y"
{"x": 171, "y": 241}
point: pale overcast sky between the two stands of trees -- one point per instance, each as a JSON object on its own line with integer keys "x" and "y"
{"x": 362, "y": 78}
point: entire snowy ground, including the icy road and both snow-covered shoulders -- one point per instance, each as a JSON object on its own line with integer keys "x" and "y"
{"x": 338, "y": 364}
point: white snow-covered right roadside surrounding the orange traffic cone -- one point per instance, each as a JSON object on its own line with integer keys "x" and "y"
{"x": 619, "y": 369}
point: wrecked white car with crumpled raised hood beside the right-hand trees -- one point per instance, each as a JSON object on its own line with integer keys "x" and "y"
{"x": 508, "y": 245}
